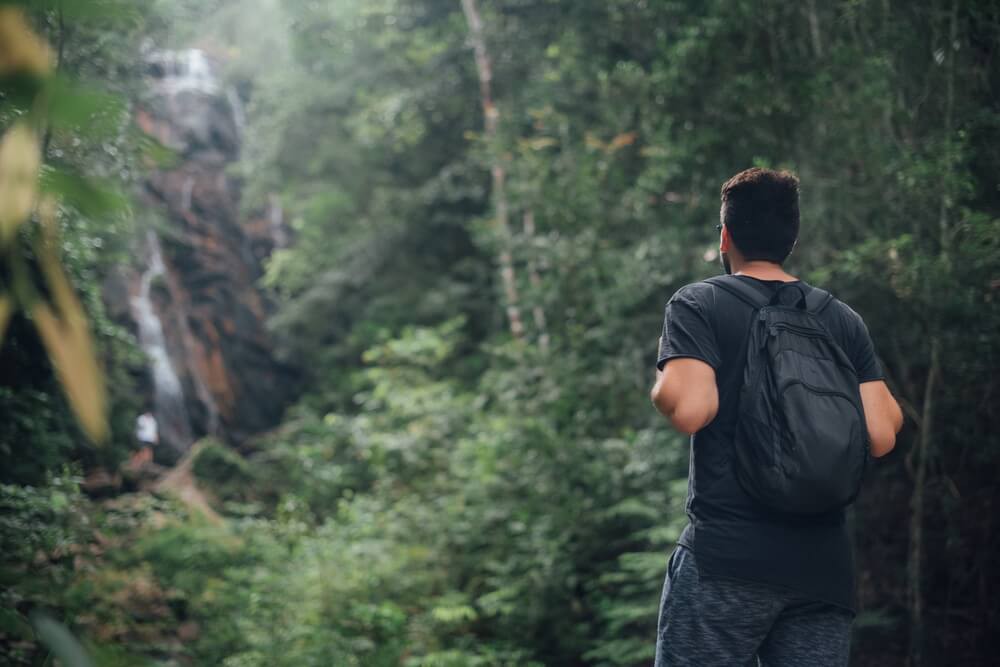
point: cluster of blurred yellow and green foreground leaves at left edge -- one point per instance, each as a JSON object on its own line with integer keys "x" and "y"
{"x": 61, "y": 322}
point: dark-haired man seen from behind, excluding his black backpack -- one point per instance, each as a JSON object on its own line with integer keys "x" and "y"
{"x": 746, "y": 582}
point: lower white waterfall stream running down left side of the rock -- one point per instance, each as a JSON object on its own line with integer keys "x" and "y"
{"x": 168, "y": 394}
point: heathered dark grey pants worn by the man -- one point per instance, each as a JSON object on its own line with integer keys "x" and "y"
{"x": 705, "y": 622}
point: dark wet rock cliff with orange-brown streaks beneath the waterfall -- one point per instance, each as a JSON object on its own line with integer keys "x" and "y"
{"x": 205, "y": 299}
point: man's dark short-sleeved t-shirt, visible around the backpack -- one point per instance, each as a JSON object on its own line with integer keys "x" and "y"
{"x": 731, "y": 534}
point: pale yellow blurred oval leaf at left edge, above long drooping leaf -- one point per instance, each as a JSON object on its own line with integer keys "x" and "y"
{"x": 20, "y": 159}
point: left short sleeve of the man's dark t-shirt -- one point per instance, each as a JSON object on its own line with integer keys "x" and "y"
{"x": 687, "y": 330}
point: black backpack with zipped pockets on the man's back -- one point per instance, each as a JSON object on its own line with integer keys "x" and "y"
{"x": 801, "y": 441}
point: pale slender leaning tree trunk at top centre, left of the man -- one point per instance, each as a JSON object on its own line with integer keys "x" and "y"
{"x": 490, "y": 119}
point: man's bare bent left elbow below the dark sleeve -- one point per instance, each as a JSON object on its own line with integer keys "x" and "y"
{"x": 686, "y": 393}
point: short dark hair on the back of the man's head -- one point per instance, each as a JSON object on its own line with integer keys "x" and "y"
{"x": 760, "y": 207}
